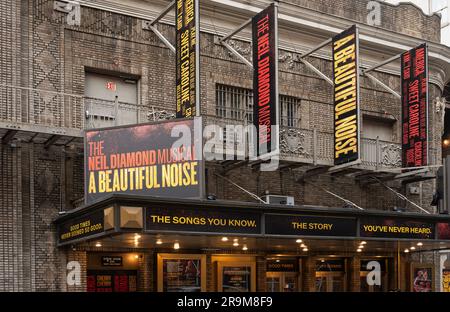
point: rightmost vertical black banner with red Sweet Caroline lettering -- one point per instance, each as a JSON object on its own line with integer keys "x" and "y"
{"x": 414, "y": 73}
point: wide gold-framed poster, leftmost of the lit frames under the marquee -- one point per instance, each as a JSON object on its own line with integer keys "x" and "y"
{"x": 181, "y": 273}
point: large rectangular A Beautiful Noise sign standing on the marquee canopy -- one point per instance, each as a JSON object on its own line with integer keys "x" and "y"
{"x": 143, "y": 160}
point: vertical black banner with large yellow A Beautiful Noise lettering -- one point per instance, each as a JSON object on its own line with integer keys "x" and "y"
{"x": 346, "y": 97}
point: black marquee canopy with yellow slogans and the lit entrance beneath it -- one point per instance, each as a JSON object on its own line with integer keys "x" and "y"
{"x": 138, "y": 243}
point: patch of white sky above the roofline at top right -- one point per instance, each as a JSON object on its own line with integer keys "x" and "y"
{"x": 436, "y": 5}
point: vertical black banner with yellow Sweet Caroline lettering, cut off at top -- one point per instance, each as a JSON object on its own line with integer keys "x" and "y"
{"x": 187, "y": 58}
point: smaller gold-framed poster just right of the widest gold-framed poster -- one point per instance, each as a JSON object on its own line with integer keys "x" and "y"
{"x": 236, "y": 277}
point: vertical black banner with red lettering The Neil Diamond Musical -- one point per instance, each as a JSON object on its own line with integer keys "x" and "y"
{"x": 265, "y": 79}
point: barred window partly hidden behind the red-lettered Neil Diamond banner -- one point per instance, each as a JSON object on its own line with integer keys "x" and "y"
{"x": 237, "y": 103}
